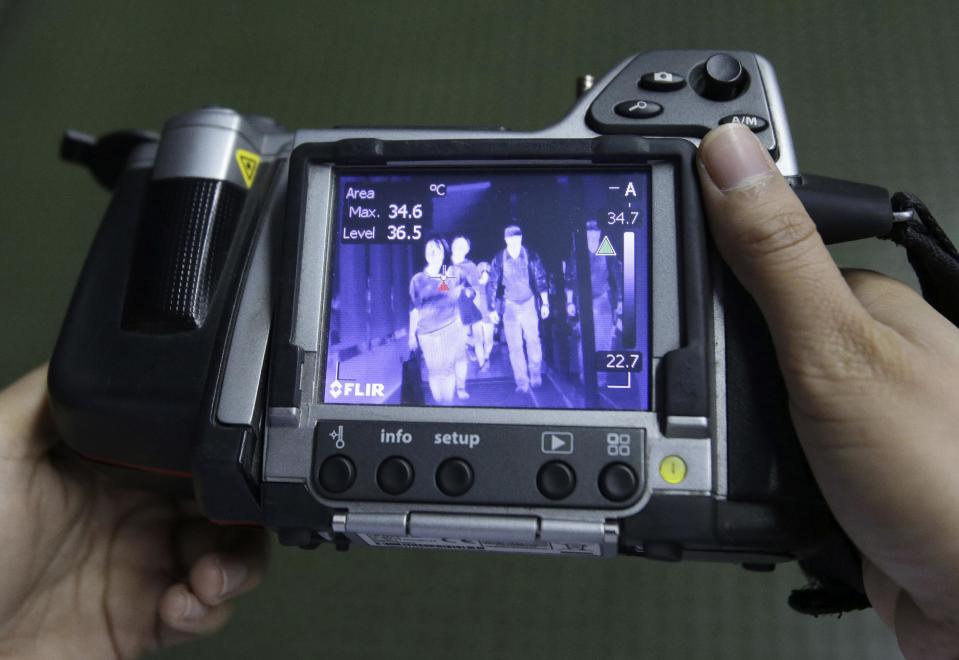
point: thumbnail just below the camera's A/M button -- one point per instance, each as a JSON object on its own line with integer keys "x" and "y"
{"x": 734, "y": 157}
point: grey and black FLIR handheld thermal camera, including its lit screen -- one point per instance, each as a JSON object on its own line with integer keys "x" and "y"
{"x": 285, "y": 326}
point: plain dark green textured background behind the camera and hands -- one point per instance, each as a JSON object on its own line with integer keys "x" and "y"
{"x": 871, "y": 88}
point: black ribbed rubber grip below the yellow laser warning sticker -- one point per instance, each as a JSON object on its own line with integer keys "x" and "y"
{"x": 184, "y": 236}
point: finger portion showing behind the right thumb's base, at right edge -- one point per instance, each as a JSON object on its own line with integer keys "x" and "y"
{"x": 891, "y": 302}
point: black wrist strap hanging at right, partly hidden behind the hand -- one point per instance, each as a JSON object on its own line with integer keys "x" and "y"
{"x": 835, "y": 572}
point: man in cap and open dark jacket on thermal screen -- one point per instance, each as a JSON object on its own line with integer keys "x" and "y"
{"x": 520, "y": 296}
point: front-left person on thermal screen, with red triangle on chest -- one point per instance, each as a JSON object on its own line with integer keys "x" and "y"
{"x": 435, "y": 324}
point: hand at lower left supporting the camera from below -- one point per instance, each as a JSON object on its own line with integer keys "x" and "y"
{"x": 90, "y": 569}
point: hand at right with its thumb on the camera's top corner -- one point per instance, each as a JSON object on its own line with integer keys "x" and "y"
{"x": 872, "y": 373}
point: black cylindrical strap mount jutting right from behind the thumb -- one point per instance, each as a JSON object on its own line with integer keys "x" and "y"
{"x": 844, "y": 210}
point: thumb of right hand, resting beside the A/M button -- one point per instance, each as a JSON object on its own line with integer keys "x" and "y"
{"x": 769, "y": 241}
